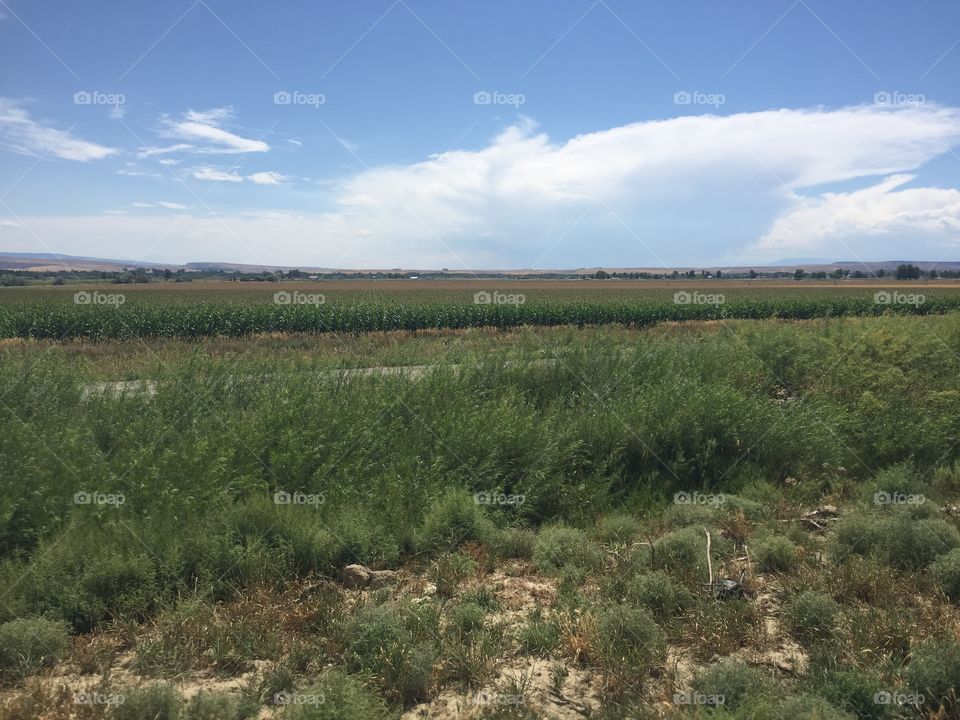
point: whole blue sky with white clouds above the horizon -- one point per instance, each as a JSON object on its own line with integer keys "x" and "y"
{"x": 493, "y": 134}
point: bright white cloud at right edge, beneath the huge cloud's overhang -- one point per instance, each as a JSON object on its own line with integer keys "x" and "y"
{"x": 880, "y": 209}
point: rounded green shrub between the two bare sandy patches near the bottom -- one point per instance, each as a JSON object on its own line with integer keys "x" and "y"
{"x": 629, "y": 641}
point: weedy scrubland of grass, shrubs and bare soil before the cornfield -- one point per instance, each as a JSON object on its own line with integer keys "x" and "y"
{"x": 520, "y": 530}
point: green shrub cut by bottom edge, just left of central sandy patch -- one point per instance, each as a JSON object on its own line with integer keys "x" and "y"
{"x": 339, "y": 697}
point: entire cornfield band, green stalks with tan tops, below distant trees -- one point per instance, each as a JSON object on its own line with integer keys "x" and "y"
{"x": 164, "y": 313}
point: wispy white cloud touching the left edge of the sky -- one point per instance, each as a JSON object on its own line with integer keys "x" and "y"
{"x": 20, "y": 133}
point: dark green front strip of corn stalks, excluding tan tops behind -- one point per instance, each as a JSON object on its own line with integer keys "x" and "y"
{"x": 56, "y": 320}
